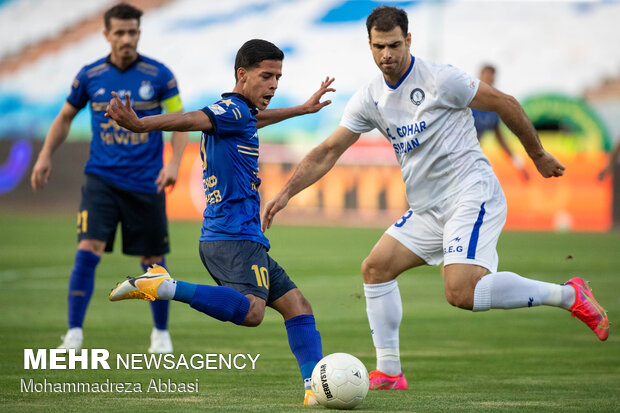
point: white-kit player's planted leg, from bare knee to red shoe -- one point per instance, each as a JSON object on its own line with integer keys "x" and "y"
{"x": 386, "y": 261}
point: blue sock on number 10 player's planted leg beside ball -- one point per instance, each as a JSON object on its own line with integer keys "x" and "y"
{"x": 305, "y": 343}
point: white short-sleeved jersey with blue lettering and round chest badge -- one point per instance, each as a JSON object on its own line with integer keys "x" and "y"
{"x": 426, "y": 118}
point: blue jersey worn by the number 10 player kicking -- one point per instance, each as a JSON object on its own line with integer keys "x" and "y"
{"x": 229, "y": 155}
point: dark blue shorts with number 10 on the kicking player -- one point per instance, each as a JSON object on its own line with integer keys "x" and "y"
{"x": 245, "y": 266}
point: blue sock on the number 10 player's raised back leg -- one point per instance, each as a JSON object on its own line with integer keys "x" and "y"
{"x": 222, "y": 303}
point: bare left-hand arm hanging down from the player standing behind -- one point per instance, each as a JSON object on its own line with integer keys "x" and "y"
{"x": 55, "y": 137}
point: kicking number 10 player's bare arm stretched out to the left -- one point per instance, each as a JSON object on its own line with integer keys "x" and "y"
{"x": 125, "y": 116}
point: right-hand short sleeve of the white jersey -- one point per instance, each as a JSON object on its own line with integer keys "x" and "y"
{"x": 456, "y": 88}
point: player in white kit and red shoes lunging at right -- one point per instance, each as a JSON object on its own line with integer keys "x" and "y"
{"x": 457, "y": 207}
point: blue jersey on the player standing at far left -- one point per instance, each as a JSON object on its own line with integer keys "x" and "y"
{"x": 119, "y": 156}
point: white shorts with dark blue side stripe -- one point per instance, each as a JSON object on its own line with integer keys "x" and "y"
{"x": 463, "y": 229}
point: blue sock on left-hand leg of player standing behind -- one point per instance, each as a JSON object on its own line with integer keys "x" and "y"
{"x": 81, "y": 286}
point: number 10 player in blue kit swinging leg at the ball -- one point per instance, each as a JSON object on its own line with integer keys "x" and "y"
{"x": 232, "y": 245}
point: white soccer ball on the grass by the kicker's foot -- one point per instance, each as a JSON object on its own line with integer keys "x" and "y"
{"x": 340, "y": 381}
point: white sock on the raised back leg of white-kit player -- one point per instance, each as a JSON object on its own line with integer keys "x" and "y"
{"x": 508, "y": 290}
